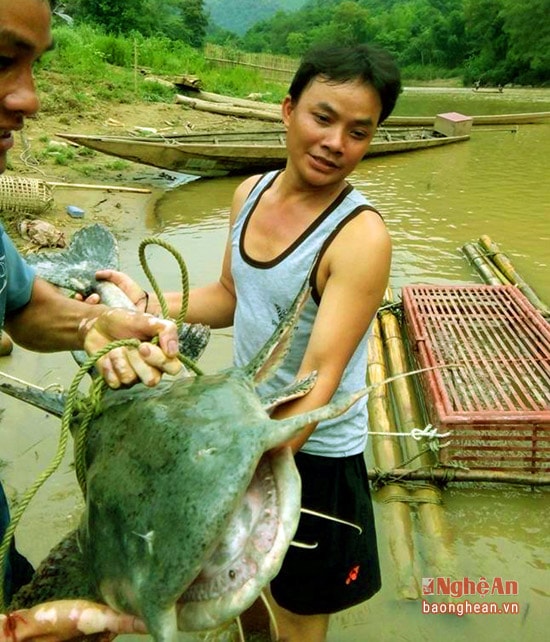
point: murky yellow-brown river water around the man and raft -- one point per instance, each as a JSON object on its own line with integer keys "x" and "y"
{"x": 433, "y": 202}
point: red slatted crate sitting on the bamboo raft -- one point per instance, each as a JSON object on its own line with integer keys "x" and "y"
{"x": 495, "y": 397}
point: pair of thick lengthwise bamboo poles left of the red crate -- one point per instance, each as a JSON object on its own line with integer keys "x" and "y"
{"x": 394, "y": 409}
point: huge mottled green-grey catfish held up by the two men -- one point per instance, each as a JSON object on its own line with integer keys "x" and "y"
{"x": 190, "y": 502}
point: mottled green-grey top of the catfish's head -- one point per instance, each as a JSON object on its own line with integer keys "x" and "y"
{"x": 133, "y": 524}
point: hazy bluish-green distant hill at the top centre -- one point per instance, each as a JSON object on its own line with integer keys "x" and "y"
{"x": 239, "y": 15}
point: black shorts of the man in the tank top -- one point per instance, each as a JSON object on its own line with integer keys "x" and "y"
{"x": 343, "y": 569}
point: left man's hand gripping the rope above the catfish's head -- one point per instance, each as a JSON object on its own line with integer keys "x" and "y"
{"x": 125, "y": 366}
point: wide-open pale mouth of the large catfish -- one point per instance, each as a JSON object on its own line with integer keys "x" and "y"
{"x": 252, "y": 549}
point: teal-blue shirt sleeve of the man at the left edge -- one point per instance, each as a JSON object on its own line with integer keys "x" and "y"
{"x": 16, "y": 278}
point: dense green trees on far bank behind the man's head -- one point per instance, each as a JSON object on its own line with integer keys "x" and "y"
{"x": 494, "y": 41}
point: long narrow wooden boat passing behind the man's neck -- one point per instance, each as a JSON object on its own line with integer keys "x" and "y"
{"x": 225, "y": 153}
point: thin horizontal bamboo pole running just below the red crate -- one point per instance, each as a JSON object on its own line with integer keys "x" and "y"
{"x": 449, "y": 475}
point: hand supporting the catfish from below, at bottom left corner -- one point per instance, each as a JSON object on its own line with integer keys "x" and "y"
{"x": 65, "y": 620}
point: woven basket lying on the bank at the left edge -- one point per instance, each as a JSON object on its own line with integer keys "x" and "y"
{"x": 21, "y": 195}
